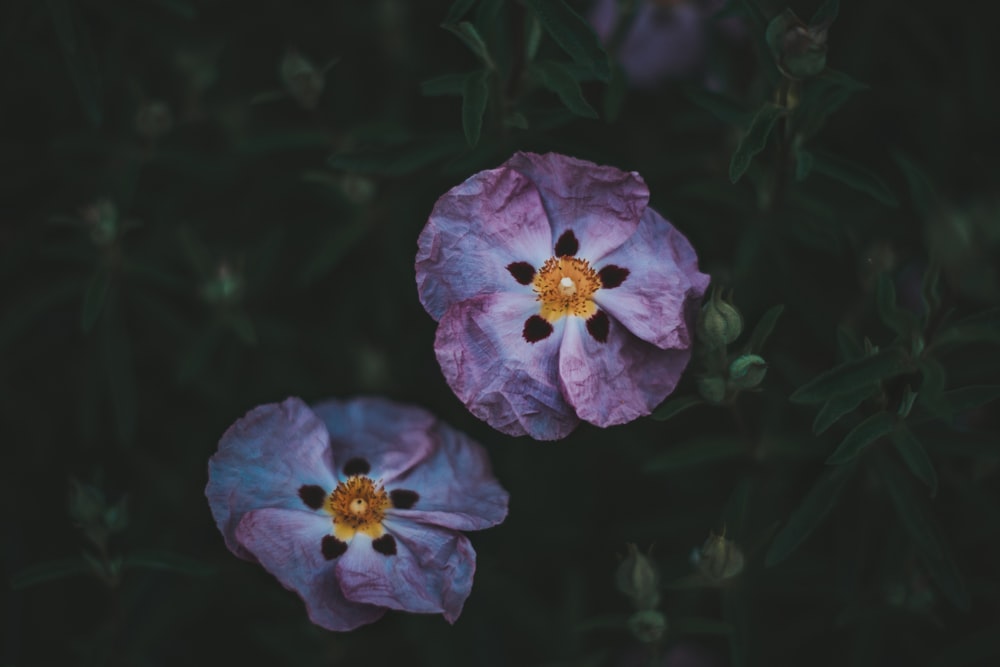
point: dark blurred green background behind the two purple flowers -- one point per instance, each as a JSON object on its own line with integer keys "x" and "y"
{"x": 243, "y": 267}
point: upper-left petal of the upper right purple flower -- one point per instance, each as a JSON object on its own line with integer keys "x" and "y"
{"x": 475, "y": 231}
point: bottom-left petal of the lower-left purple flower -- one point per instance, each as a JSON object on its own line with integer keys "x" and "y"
{"x": 288, "y": 543}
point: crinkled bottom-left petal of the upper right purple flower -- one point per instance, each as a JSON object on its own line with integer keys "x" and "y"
{"x": 511, "y": 384}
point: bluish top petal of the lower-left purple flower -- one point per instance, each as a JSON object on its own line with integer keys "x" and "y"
{"x": 376, "y": 437}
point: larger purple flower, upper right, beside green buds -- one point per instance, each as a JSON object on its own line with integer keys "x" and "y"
{"x": 559, "y": 295}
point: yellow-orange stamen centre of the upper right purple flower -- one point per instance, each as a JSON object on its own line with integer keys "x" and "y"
{"x": 565, "y": 286}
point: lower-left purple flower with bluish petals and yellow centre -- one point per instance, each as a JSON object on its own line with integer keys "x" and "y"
{"x": 355, "y": 506}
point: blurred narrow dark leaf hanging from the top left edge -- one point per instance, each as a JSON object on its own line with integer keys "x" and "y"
{"x": 75, "y": 42}
